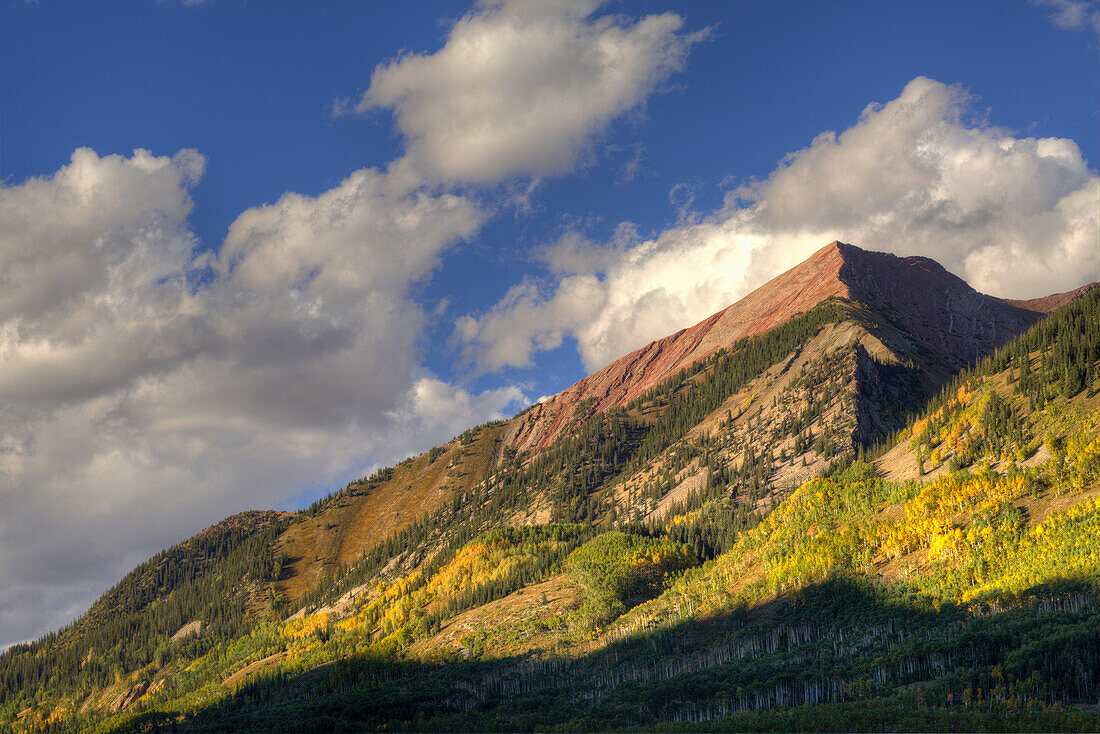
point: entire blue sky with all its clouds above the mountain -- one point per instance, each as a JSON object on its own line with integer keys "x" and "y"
{"x": 357, "y": 229}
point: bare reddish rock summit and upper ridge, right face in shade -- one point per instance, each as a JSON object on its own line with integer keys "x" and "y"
{"x": 917, "y": 294}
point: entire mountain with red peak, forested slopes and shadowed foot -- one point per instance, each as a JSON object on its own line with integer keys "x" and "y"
{"x": 864, "y": 494}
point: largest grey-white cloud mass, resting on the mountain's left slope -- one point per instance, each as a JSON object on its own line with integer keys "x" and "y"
{"x": 151, "y": 389}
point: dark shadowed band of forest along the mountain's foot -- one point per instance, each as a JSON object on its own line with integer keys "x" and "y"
{"x": 867, "y": 658}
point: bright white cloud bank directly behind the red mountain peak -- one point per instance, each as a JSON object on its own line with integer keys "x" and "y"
{"x": 1017, "y": 217}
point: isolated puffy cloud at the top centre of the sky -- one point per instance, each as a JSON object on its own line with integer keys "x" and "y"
{"x": 523, "y": 87}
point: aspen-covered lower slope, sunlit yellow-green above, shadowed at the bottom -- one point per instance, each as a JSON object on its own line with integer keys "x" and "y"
{"x": 766, "y": 628}
